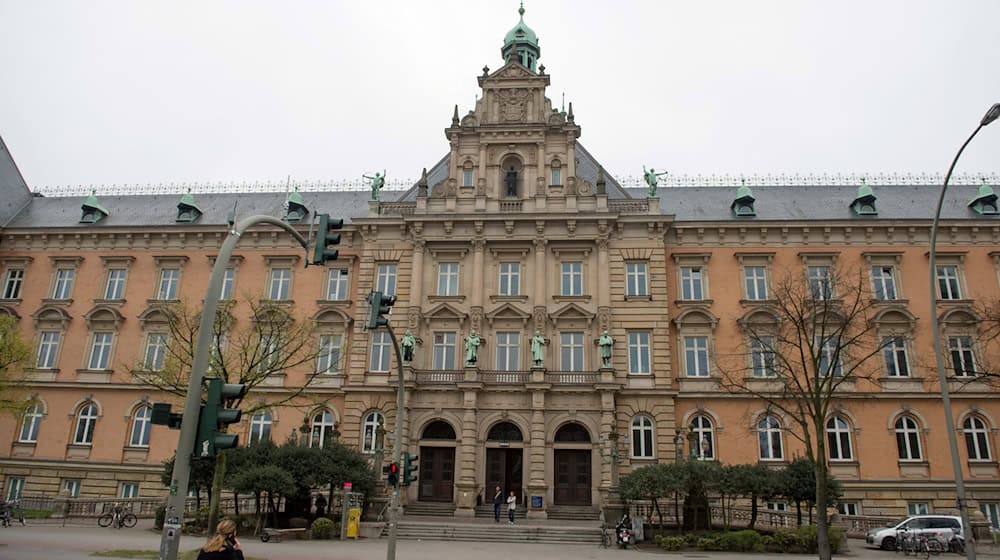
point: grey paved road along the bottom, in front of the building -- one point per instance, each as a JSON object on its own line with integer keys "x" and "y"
{"x": 77, "y": 543}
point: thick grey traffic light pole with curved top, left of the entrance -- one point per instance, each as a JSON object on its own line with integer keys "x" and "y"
{"x": 171, "y": 537}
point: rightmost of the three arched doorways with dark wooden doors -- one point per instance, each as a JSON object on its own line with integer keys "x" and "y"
{"x": 572, "y": 477}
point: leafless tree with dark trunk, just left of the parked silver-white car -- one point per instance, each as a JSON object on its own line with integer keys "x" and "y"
{"x": 801, "y": 349}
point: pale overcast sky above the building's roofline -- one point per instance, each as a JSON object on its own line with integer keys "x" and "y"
{"x": 154, "y": 91}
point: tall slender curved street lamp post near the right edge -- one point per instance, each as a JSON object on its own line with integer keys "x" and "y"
{"x": 956, "y": 462}
